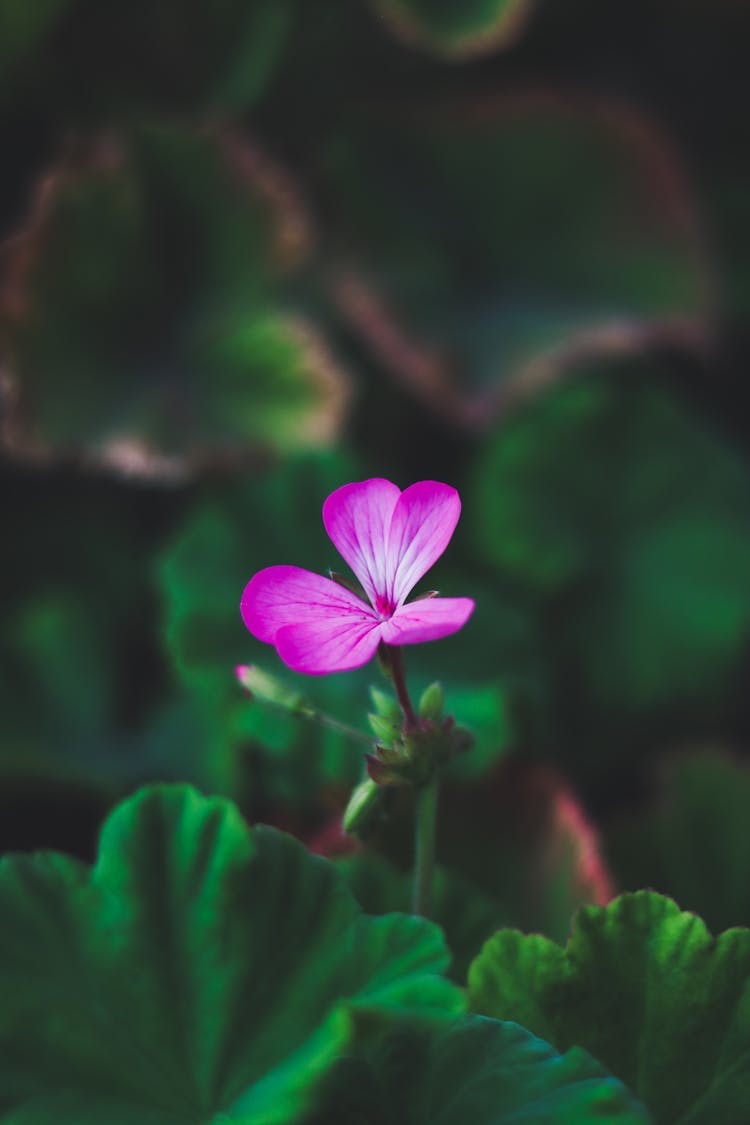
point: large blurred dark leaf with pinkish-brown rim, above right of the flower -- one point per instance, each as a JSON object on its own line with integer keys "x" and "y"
{"x": 484, "y": 249}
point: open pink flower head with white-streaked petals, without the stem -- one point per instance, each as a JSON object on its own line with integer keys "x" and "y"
{"x": 391, "y": 539}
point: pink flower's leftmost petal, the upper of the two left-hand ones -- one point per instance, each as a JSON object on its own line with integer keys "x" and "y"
{"x": 285, "y": 596}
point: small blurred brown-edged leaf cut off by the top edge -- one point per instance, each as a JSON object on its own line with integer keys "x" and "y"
{"x": 456, "y": 29}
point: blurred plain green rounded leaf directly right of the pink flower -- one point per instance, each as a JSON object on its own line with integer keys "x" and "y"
{"x": 628, "y": 518}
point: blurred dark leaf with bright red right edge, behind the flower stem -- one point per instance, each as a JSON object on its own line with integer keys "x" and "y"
{"x": 516, "y": 850}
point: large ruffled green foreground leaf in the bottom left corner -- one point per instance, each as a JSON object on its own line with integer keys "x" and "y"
{"x": 200, "y": 969}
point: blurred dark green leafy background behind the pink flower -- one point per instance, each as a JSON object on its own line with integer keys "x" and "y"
{"x": 255, "y": 249}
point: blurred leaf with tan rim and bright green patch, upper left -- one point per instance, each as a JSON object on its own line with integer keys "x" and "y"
{"x": 143, "y": 318}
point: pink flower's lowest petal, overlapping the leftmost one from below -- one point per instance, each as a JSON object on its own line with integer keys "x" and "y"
{"x": 329, "y": 644}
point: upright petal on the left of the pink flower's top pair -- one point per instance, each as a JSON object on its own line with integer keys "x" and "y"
{"x": 358, "y": 519}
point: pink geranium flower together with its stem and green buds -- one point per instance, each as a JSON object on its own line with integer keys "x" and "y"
{"x": 391, "y": 539}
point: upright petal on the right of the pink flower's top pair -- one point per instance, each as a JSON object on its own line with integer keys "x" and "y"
{"x": 421, "y": 529}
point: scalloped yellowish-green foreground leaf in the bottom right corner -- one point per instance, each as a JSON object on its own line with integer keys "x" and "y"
{"x": 647, "y": 989}
